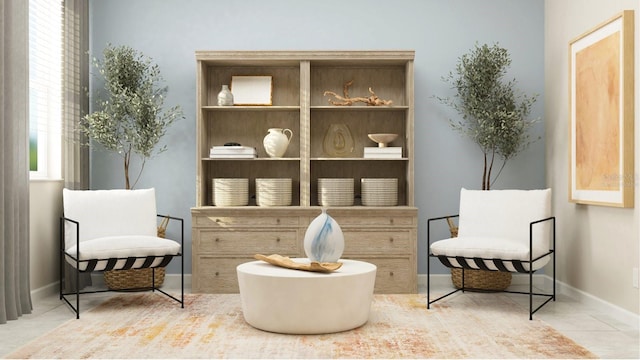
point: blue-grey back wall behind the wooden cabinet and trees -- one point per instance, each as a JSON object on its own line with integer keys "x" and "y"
{"x": 170, "y": 31}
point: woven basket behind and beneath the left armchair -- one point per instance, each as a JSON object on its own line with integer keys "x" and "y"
{"x": 137, "y": 278}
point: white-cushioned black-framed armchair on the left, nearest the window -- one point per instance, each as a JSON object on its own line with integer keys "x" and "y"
{"x": 114, "y": 230}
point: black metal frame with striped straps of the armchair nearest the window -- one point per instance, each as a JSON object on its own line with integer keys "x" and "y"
{"x": 111, "y": 264}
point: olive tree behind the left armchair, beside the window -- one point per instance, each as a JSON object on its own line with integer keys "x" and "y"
{"x": 129, "y": 118}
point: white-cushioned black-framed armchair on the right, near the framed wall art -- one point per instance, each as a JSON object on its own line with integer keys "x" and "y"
{"x": 499, "y": 230}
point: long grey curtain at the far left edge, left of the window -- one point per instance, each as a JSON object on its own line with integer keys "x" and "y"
{"x": 15, "y": 292}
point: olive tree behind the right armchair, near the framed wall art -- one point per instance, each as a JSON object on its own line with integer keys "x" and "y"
{"x": 493, "y": 113}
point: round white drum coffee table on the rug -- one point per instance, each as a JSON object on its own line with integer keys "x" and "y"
{"x": 291, "y": 301}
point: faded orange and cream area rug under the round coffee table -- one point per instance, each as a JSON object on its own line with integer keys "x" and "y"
{"x": 212, "y": 326}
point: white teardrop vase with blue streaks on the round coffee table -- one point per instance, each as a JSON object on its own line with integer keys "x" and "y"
{"x": 324, "y": 241}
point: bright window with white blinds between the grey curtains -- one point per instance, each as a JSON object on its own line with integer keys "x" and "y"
{"x": 45, "y": 88}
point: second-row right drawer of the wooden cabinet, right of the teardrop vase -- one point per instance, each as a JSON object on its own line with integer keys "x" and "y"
{"x": 377, "y": 242}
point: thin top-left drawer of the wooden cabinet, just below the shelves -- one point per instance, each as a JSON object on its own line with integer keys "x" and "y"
{"x": 215, "y": 221}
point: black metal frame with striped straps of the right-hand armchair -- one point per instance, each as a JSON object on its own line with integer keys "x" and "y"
{"x": 464, "y": 262}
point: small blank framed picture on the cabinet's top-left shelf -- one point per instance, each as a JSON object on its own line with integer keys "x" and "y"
{"x": 251, "y": 90}
